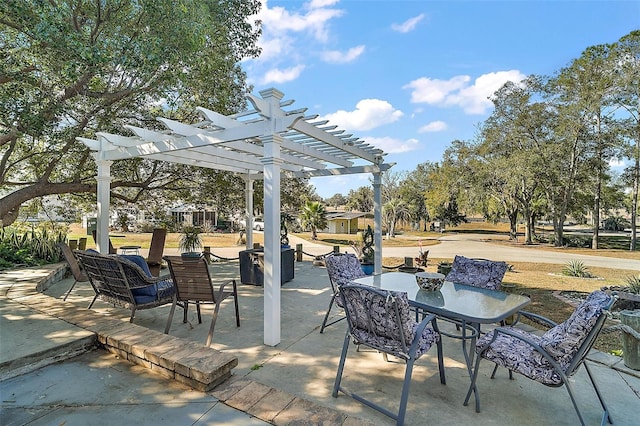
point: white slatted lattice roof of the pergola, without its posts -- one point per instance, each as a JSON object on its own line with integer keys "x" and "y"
{"x": 309, "y": 147}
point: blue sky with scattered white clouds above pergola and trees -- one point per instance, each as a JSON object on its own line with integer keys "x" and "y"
{"x": 411, "y": 76}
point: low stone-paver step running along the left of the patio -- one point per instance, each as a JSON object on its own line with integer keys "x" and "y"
{"x": 197, "y": 366}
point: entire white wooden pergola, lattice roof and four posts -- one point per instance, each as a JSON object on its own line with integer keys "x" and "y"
{"x": 260, "y": 143}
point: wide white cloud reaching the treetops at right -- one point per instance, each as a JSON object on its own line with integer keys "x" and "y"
{"x": 473, "y": 99}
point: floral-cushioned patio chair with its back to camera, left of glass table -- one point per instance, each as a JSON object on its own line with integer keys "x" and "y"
{"x": 382, "y": 320}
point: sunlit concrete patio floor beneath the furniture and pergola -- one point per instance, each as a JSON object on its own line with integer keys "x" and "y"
{"x": 304, "y": 364}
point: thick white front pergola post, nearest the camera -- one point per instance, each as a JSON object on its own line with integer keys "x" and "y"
{"x": 272, "y": 272}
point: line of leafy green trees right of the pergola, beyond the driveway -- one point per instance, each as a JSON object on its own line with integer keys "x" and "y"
{"x": 546, "y": 151}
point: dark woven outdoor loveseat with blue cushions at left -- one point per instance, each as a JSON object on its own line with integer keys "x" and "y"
{"x": 124, "y": 281}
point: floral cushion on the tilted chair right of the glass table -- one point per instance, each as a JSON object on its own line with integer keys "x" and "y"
{"x": 561, "y": 343}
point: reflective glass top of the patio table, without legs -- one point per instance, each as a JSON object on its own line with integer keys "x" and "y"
{"x": 458, "y": 301}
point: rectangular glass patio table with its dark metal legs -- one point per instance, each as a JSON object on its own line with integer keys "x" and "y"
{"x": 464, "y": 305}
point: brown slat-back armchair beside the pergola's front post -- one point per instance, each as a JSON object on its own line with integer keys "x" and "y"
{"x": 193, "y": 284}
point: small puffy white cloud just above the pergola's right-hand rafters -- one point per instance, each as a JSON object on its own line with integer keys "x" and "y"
{"x": 369, "y": 114}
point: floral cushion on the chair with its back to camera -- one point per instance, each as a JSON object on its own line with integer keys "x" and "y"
{"x": 374, "y": 322}
